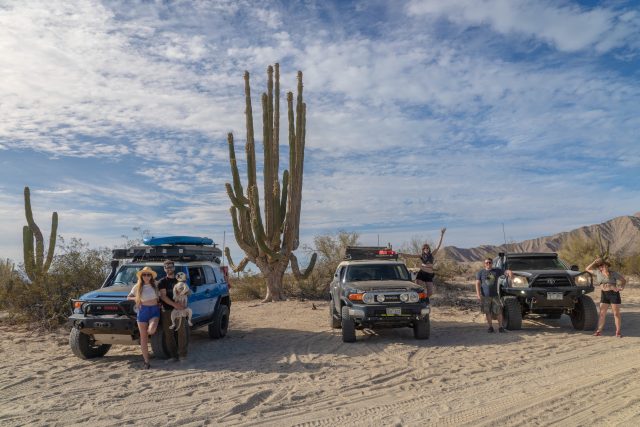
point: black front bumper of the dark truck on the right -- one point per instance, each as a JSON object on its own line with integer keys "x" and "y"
{"x": 548, "y": 298}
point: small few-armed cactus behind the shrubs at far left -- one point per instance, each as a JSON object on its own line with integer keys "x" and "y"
{"x": 35, "y": 264}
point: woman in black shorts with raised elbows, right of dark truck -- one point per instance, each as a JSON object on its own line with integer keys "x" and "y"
{"x": 611, "y": 284}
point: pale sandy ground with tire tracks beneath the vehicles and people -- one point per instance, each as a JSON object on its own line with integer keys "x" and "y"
{"x": 282, "y": 365}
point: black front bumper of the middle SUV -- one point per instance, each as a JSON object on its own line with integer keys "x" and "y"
{"x": 388, "y": 314}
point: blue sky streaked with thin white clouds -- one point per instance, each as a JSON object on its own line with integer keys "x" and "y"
{"x": 465, "y": 114}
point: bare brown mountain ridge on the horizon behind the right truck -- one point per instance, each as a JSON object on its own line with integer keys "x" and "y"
{"x": 623, "y": 234}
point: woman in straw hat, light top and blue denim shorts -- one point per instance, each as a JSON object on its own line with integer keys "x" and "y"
{"x": 145, "y": 294}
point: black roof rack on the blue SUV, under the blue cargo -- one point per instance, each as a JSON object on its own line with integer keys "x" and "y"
{"x": 172, "y": 252}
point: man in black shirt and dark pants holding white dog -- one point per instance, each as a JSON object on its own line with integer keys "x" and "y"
{"x": 165, "y": 286}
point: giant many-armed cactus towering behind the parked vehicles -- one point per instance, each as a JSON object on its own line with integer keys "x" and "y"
{"x": 269, "y": 244}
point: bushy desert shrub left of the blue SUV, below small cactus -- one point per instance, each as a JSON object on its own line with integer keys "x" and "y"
{"x": 45, "y": 302}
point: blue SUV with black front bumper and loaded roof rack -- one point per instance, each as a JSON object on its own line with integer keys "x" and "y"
{"x": 105, "y": 317}
